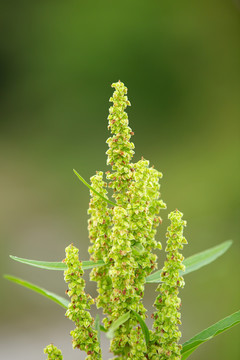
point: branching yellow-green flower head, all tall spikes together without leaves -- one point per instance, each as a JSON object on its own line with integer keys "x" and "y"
{"x": 123, "y": 237}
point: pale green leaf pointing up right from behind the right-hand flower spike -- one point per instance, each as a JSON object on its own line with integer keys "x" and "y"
{"x": 196, "y": 261}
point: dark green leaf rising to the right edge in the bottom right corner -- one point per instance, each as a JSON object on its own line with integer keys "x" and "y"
{"x": 207, "y": 334}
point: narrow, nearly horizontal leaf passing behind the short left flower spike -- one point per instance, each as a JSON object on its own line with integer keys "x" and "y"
{"x": 56, "y": 265}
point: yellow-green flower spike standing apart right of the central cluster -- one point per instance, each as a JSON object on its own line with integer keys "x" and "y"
{"x": 167, "y": 318}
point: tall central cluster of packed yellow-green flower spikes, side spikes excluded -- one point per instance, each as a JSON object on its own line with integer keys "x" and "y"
{"x": 124, "y": 236}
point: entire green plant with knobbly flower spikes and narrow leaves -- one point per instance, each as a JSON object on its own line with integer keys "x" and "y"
{"x": 124, "y": 213}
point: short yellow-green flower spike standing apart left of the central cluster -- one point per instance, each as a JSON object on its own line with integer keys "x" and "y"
{"x": 84, "y": 336}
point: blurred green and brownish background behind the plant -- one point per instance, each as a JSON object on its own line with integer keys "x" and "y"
{"x": 181, "y": 63}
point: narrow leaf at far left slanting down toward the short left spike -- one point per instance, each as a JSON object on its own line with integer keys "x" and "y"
{"x": 58, "y": 299}
